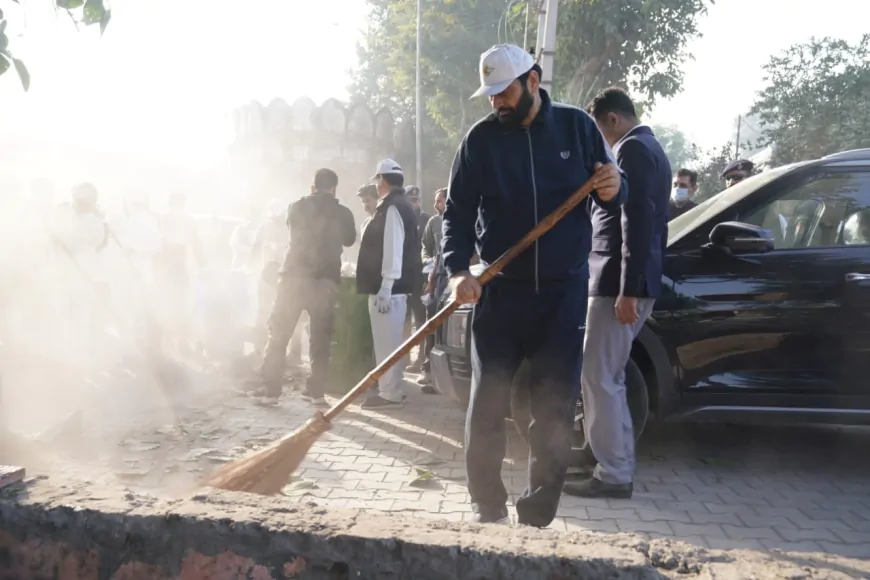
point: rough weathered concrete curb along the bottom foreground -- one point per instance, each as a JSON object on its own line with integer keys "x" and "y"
{"x": 77, "y": 531}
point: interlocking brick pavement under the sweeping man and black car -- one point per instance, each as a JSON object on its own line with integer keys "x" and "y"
{"x": 793, "y": 489}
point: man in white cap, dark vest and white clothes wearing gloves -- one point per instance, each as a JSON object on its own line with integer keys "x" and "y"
{"x": 388, "y": 270}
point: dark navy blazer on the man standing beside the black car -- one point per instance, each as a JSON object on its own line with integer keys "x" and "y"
{"x": 628, "y": 244}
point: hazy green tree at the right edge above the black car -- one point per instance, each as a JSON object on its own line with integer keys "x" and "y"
{"x": 817, "y": 99}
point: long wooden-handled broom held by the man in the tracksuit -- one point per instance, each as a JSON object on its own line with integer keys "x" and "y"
{"x": 267, "y": 471}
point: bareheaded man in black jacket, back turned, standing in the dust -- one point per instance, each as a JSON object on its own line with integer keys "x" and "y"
{"x": 309, "y": 279}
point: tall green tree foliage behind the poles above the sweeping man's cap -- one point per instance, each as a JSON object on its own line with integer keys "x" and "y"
{"x": 638, "y": 44}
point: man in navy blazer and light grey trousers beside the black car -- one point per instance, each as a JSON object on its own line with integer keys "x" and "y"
{"x": 625, "y": 265}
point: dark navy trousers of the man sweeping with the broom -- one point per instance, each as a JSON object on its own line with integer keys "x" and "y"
{"x": 513, "y": 322}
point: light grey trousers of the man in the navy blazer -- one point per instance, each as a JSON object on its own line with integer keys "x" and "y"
{"x": 607, "y": 420}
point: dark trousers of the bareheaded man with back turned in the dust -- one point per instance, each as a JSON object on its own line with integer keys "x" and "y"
{"x": 317, "y": 297}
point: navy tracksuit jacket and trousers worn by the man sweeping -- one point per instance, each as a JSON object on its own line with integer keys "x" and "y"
{"x": 503, "y": 182}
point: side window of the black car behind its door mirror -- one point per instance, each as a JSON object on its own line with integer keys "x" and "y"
{"x": 814, "y": 213}
